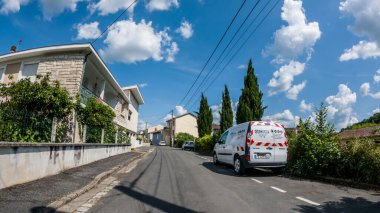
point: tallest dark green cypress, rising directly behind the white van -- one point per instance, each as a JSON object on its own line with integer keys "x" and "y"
{"x": 250, "y": 102}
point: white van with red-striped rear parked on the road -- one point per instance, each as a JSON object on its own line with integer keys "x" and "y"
{"x": 255, "y": 144}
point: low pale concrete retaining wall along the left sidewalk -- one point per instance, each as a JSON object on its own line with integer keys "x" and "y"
{"x": 24, "y": 162}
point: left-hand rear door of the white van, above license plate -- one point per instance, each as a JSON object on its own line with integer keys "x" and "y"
{"x": 261, "y": 149}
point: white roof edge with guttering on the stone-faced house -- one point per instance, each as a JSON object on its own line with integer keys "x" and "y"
{"x": 85, "y": 47}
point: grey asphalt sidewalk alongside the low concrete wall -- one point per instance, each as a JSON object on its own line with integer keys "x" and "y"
{"x": 34, "y": 196}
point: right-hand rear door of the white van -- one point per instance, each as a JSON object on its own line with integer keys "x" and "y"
{"x": 281, "y": 143}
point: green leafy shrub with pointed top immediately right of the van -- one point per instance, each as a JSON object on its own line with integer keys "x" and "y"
{"x": 314, "y": 151}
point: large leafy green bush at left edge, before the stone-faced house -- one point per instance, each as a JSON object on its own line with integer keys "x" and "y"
{"x": 27, "y": 110}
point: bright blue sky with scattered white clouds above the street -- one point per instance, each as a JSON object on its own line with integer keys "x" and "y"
{"x": 304, "y": 53}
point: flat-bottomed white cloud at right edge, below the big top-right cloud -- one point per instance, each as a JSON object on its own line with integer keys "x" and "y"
{"x": 363, "y": 50}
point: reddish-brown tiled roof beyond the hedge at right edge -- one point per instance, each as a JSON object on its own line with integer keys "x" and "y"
{"x": 371, "y": 133}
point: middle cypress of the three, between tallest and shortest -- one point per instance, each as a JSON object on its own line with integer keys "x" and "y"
{"x": 226, "y": 115}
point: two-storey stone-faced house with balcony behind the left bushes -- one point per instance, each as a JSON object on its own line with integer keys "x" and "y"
{"x": 79, "y": 69}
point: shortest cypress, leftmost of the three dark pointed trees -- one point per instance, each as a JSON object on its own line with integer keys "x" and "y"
{"x": 204, "y": 119}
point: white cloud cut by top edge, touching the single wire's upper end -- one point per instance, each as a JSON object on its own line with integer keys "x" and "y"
{"x": 106, "y": 7}
